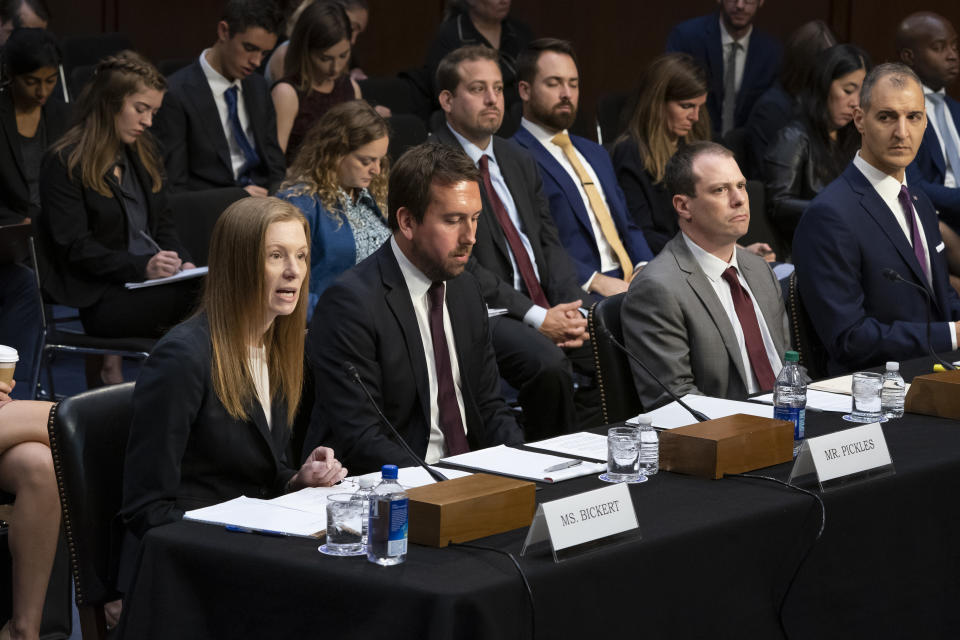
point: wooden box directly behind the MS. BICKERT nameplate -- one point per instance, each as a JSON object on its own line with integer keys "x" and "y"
{"x": 468, "y": 508}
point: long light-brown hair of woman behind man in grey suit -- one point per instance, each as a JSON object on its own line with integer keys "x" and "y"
{"x": 674, "y": 76}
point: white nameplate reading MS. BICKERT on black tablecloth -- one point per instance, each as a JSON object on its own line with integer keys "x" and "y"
{"x": 585, "y": 517}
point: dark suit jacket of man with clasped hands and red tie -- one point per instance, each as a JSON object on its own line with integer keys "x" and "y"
{"x": 490, "y": 262}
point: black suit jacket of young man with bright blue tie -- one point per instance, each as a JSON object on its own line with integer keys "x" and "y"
{"x": 194, "y": 143}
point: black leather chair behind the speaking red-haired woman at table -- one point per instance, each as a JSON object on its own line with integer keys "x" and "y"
{"x": 88, "y": 440}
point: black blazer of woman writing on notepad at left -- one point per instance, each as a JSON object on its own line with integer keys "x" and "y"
{"x": 83, "y": 234}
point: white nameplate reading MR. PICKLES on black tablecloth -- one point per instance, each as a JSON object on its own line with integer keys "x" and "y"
{"x": 852, "y": 452}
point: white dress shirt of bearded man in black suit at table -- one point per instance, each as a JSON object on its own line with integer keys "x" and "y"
{"x": 417, "y": 286}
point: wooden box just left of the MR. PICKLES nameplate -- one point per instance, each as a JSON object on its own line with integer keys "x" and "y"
{"x": 735, "y": 444}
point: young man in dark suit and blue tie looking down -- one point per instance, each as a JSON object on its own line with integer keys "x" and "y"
{"x": 217, "y": 127}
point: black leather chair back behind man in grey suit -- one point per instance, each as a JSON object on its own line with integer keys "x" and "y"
{"x": 618, "y": 395}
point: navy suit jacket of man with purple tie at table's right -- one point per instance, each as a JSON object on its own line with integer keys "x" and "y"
{"x": 846, "y": 238}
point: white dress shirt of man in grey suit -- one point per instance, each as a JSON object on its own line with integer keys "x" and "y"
{"x": 713, "y": 267}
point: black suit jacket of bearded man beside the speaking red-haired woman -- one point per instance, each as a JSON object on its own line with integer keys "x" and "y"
{"x": 366, "y": 318}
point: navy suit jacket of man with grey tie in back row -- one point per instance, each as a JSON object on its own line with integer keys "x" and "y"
{"x": 700, "y": 37}
